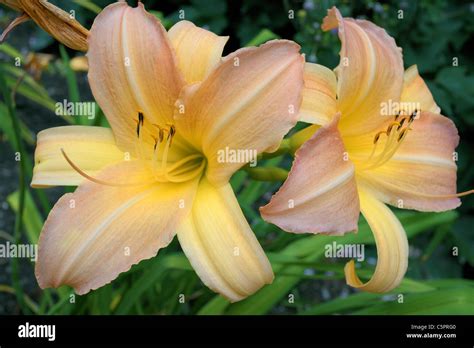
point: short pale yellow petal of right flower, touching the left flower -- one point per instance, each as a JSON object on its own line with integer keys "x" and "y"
{"x": 319, "y": 95}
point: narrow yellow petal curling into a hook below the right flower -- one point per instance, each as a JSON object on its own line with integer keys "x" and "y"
{"x": 392, "y": 247}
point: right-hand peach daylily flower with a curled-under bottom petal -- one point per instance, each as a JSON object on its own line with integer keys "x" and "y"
{"x": 360, "y": 159}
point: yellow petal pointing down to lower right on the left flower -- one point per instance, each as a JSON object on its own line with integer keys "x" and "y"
{"x": 220, "y": 245}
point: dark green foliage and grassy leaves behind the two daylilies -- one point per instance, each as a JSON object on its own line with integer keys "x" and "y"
{"x": 433, "y": 35}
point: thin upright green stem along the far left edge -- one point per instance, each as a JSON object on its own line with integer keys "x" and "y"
{"x": 21, "y": 189}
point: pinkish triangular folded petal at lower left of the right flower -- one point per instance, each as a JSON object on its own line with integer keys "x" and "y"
{"x": 320, "y": 194}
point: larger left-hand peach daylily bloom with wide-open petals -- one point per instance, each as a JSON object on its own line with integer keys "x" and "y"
{"x": 173, "y": 102}
